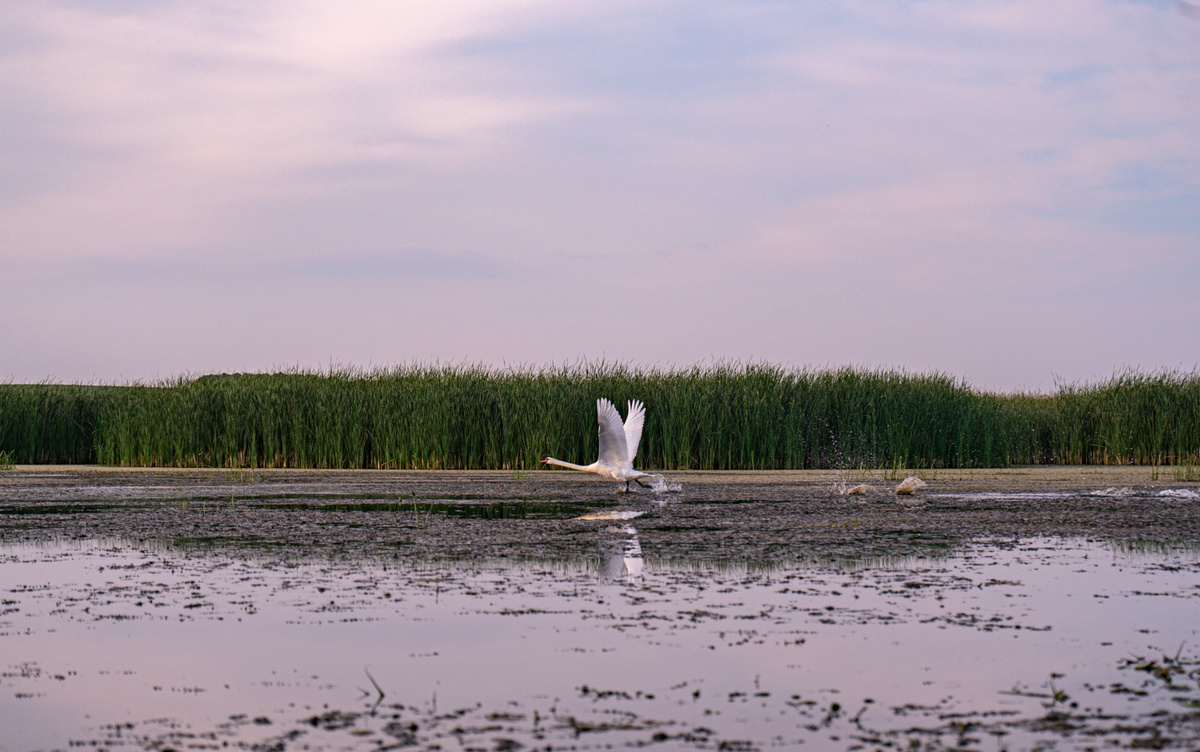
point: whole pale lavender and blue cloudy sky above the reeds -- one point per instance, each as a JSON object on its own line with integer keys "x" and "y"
{"x": 1007, "y": 192}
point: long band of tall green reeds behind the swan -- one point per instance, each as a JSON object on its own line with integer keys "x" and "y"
{"x": 725, "y": 417}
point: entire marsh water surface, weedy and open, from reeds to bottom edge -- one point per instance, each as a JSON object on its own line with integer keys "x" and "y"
{"x": 1049, "y": 609}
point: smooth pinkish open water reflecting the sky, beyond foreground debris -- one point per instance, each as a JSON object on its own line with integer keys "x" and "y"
{"x": 106, "y": 634}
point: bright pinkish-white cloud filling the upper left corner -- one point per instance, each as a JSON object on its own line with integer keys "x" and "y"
{"x": 177, "y": 115}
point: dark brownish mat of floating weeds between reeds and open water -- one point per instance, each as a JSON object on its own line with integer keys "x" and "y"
{"x": 754, "y": 518}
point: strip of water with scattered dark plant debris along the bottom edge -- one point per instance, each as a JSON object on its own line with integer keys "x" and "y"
{"x": 633, "y": 719}
